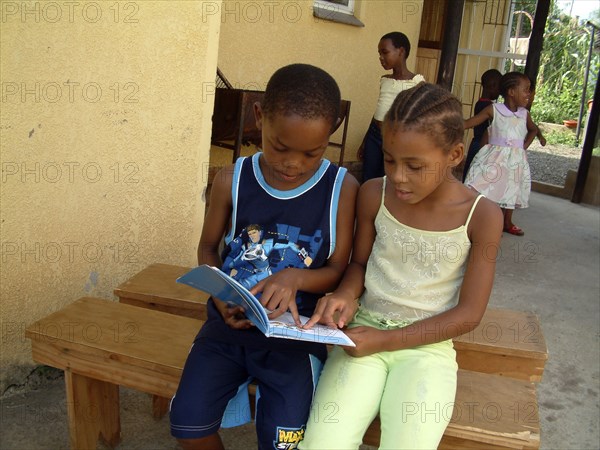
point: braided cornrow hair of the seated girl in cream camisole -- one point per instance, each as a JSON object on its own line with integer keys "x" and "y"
{"x": 429, "y": 109}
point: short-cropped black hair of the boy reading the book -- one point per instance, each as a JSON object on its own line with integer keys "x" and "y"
{"x": 303, "y": 90}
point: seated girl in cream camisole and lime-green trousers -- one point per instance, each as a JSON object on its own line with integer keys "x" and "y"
{"x": 423, "y": 266}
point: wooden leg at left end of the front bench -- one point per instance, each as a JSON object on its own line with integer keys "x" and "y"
{"x": 93, "y": 408}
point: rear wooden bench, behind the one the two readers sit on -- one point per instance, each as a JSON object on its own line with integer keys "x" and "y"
{"x": 508, "y": 343}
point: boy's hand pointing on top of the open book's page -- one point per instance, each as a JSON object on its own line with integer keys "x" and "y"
{"x": 279, "y": 293}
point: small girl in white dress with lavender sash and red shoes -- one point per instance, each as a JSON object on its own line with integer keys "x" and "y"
{"x": 500, "y": 170}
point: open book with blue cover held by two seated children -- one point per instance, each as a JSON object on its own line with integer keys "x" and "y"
{"x": 220, "y": 285}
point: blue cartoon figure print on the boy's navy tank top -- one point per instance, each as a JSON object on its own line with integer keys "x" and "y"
{"x": 257, "y": 253}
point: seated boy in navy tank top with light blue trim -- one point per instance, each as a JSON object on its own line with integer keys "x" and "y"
{"x": 291, "y": 196}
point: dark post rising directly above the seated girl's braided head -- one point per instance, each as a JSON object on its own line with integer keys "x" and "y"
{"x": 452, "y": 25}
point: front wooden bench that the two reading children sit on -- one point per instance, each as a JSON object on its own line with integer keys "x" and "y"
{"x": 102, "y": 345}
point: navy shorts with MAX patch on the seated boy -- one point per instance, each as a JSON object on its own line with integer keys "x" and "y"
{"x": 213, "y": 373}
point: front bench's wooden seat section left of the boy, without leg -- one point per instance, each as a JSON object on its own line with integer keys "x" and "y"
{"x": 122, "y": 344}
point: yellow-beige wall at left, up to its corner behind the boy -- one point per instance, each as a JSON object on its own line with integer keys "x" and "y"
{"x": 105, "y": 140}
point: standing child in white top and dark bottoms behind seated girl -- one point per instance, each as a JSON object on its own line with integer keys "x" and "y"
{"x": 394, "y": 49}
